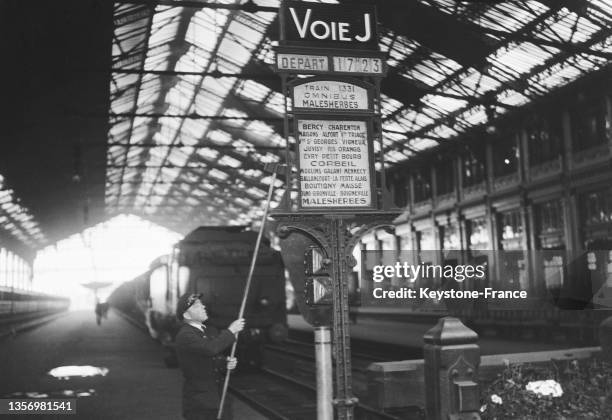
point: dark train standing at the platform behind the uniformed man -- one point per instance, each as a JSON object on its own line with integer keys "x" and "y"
{"x": 213, "y": 261}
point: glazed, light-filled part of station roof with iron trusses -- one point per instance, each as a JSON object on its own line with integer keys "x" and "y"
{"x": 196, "y": 111}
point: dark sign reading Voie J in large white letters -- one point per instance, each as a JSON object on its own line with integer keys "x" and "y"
{"x": 329, "y": 25}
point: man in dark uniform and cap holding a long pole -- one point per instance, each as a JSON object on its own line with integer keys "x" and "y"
{"x": 196, "y": 348}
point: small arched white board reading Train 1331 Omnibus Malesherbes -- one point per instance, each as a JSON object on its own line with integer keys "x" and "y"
{"x": 330, "y": 94}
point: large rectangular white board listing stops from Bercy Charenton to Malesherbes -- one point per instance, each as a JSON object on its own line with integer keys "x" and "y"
{"x": 334, "y": 164}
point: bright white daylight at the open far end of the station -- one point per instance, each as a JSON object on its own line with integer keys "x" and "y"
{"x": 100, "y": 258}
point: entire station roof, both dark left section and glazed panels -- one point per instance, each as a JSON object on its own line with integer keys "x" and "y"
{"x": 170, "y": 110}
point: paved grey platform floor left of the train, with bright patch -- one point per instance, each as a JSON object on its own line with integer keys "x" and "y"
{"x": 137, "y": 385}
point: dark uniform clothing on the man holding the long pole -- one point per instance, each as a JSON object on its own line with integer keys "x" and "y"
{"x": 195, "y": 351}
